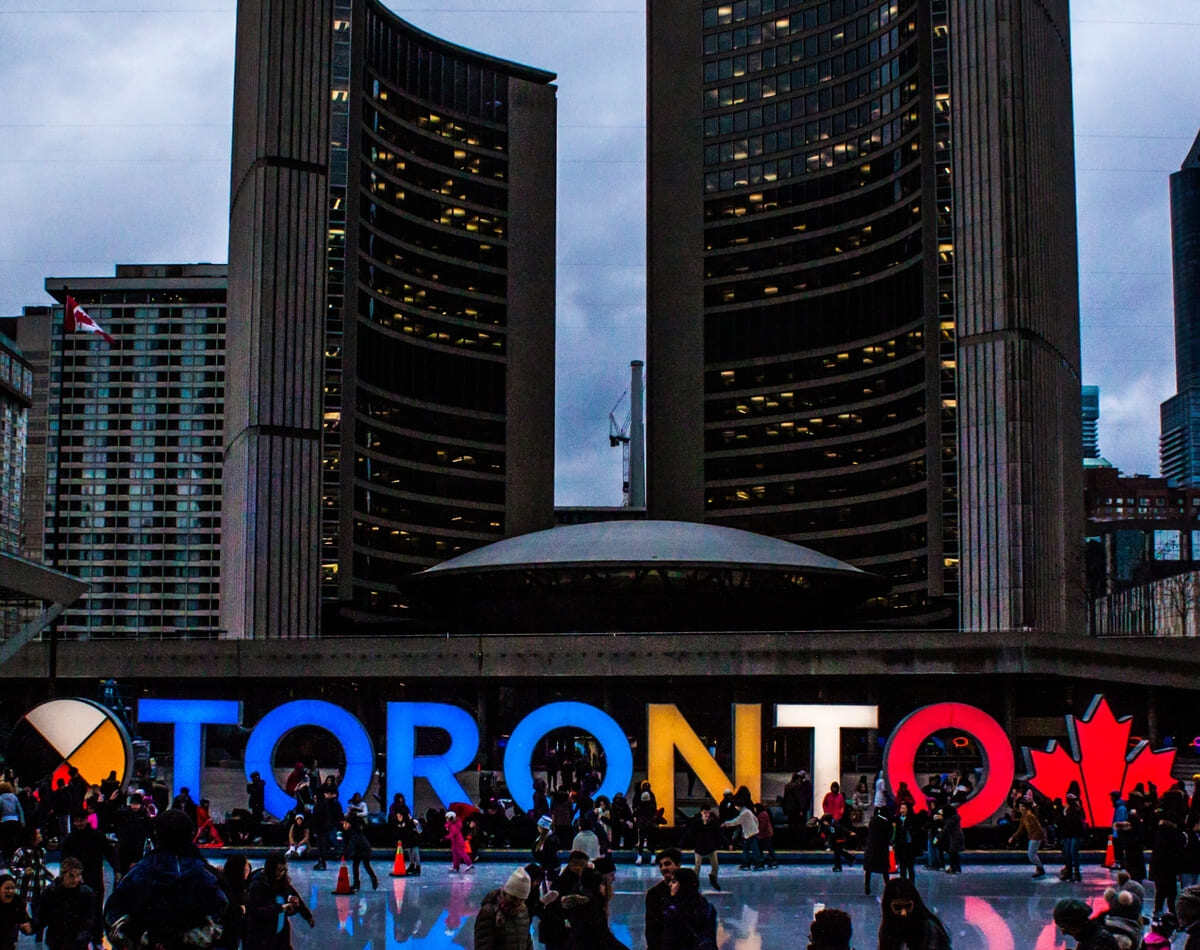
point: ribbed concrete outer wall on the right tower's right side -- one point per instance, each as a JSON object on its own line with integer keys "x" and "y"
{"x": 1017, "y": 303}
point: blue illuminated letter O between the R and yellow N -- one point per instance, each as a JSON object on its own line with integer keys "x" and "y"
{"x": 620, "y": 757}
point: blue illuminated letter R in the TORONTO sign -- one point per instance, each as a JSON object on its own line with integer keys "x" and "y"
{"x": 404, "y": 763}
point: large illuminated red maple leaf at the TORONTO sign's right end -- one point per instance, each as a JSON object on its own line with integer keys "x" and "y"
{"x": 1097, "y": 762}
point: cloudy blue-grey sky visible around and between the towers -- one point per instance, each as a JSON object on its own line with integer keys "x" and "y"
{"x": 118, "y": 117}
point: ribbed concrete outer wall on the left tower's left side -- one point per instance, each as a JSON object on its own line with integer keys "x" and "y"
{"x": 271, "y": 528}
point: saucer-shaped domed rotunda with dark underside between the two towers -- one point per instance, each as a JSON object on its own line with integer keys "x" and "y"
{"x": 643, "y": 575}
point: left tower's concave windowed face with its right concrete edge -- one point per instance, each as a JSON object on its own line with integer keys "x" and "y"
{"x": 448, "y": 417}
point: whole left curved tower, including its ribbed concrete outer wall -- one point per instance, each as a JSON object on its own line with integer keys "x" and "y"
{"x": 431, "y": 323}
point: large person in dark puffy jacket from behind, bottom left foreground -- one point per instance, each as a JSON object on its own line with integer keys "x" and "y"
{"x": 170, "y": 892}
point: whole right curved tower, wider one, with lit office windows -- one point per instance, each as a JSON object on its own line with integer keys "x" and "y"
{"x": 811, "y": 195}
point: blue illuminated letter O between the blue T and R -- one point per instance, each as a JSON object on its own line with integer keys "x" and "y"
{"x": 283, "y": 720}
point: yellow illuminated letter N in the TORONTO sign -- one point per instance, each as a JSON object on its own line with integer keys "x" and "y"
{"x": 669, "y": 732}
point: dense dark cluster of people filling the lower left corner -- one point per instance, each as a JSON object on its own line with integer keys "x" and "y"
{"x": 165, "y": 893}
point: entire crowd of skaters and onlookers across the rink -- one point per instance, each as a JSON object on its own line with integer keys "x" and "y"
{"x": 166, "y": 894}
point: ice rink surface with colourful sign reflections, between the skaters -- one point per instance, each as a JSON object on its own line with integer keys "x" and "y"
{"x": 989, "y": 909}
